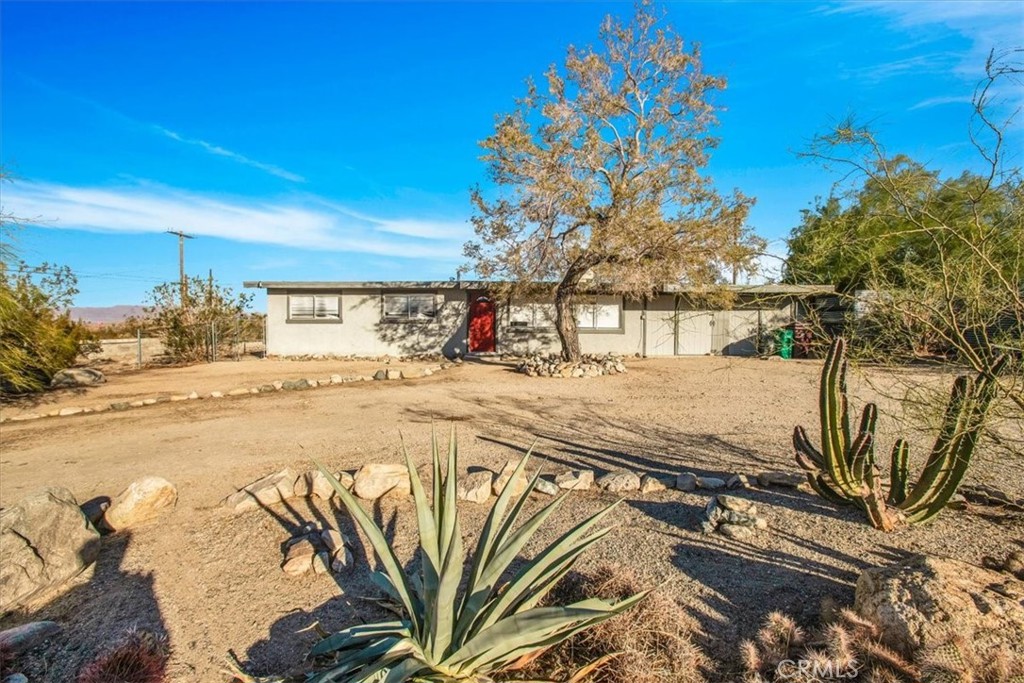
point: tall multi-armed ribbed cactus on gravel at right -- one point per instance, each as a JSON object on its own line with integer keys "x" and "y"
{"x": 845, "y": 472}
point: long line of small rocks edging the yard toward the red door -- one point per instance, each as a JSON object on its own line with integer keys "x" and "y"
{"x": 270, "y": 388}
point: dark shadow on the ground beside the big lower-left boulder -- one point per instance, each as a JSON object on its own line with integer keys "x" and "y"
{"x": 95, "y": 613}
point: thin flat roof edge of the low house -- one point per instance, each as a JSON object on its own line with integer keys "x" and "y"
{"x": 777, "y": 289}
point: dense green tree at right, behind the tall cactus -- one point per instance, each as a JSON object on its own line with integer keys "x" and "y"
{"x": 943, "y": 257}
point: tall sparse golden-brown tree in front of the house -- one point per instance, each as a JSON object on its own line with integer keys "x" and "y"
{"x": 600, "y": 176}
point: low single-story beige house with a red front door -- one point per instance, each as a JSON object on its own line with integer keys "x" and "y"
{"x": 460, "y": 318}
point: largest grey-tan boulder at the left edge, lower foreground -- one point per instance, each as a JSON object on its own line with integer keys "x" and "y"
{"x": 47, "y": 540}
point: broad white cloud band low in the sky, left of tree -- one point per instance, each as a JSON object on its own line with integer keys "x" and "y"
{"x": 301, "y": 222}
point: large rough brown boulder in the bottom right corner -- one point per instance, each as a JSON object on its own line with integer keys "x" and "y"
{"x": 920, "y": 603}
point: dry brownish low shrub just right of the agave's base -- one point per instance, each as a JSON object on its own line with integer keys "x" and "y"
{"x": 648, "y": 645}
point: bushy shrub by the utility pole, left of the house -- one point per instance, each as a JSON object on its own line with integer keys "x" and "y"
{"x": 211, "y": 317}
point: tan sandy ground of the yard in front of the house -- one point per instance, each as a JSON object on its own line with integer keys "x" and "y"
{"x": 214, "y": 581}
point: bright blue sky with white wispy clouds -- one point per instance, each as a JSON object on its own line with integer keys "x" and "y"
{"x": 339, "y": 141}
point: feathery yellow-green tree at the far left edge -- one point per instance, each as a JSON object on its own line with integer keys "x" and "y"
{"x": 37, "y": 336}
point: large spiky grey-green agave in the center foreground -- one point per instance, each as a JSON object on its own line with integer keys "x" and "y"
{"x": 448, "y": 634}
